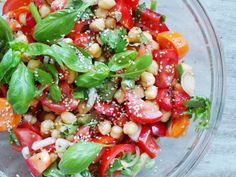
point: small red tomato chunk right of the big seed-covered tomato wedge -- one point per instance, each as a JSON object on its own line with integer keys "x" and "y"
{"x": 164, "y": 99}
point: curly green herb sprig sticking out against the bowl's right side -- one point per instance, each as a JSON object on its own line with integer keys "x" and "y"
{"x": 199, "y": 109}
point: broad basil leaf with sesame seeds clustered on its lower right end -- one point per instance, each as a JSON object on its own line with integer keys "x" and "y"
{"x": 73, "y": 58}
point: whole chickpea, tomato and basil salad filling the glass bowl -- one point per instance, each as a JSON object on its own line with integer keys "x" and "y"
{"x": 88, "y": 87}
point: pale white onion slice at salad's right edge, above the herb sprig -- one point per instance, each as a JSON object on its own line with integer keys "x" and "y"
{"x": 188, "y": 82}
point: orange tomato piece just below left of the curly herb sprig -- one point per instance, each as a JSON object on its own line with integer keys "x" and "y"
{"x": 178, "y": 126}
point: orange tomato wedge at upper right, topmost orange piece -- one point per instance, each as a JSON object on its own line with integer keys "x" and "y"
{"x": 174, "y": 40}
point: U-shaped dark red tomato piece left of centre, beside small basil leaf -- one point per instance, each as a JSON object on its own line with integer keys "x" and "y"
{"x": 68, "y": 103}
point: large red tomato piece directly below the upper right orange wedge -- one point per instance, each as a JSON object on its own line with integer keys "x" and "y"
{"x": 167, "y": 60}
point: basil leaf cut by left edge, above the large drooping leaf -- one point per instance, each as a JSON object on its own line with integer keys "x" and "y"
{"x": 10, "y": 60}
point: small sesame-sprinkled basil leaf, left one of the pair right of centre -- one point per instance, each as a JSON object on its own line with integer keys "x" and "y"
{"x": 121, "y": 60}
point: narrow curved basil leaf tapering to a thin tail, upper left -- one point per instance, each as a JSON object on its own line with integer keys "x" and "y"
{"x": 37, "y": 49}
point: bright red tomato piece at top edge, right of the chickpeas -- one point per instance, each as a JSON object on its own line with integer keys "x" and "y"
{"x": 126, "y": 12}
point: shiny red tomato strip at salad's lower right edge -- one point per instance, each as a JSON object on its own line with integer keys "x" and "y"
{"x": 147, "y": 143}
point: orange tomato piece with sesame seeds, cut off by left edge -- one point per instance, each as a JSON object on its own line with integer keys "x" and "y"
{"x": 7, "y": 117}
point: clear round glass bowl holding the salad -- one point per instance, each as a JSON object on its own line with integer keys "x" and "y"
{"x": 178, "y": 156}
